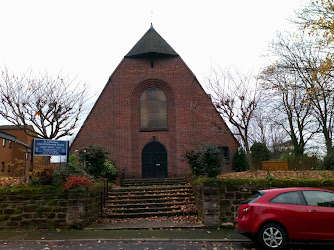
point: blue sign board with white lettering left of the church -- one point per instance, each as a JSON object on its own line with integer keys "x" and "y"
{"x": 44, "y": 147}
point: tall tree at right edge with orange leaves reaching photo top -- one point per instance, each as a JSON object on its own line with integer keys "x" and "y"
{"x": 311, "y": 57}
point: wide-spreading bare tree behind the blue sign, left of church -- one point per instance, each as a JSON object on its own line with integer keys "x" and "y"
{"x": 42, "y": 106}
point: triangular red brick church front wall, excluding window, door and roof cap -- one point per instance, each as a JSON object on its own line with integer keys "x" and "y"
{"x": 114, "y": 121}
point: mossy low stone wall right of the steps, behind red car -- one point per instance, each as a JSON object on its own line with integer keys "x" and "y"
{"x": 217, "y": 200}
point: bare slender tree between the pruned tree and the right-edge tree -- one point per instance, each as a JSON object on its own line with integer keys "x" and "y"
{"x": 289, "y": 107}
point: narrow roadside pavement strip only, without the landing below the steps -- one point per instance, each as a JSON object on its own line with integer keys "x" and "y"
{"x": 224, "y": 235}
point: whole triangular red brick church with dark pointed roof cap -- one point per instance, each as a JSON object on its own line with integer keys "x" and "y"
{"x": 151, "y": 112}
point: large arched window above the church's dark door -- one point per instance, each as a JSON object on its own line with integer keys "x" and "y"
{"x": 153, "y": 110}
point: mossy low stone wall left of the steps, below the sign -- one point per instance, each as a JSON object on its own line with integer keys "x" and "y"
{"x": 47, "y": 208}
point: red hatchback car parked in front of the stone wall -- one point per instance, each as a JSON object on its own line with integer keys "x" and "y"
{"x": 275, "y": 216}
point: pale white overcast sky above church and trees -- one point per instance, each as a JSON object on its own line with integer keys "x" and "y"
{"x": 88, "y": 39}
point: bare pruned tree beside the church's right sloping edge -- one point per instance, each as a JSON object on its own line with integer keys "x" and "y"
{"x": 236, "y": 96}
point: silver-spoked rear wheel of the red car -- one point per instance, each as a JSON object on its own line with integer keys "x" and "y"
{"x": 272, "y": 236}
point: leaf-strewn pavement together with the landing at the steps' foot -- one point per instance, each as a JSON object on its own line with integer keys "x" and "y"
{"x": 154, "y": 228}
